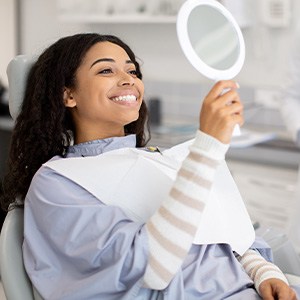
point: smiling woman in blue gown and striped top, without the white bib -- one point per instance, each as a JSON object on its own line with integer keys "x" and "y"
{"x": 87, "y": 88}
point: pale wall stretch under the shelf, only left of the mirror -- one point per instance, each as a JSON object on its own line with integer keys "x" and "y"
{"x": 156, "y": 45}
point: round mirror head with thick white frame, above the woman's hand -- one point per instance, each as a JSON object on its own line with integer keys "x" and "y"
{"x": 210, "y": 38}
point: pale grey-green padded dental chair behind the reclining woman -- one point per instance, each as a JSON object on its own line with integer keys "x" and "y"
{"x": 16, "y": 284}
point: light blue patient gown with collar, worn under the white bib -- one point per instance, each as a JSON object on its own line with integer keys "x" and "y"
{"x": 76, "y": 247}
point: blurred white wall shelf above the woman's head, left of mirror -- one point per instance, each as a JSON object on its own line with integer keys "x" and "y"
{"x": 118, "y": 11}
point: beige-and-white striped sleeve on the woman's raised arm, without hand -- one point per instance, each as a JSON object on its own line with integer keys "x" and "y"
{"x": 172, "y": 228}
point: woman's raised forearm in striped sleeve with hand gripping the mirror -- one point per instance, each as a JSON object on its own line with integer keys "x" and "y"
{"x": 172, "y": 228}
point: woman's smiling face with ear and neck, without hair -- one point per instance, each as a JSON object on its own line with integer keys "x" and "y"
{"x": 108, "y": 94}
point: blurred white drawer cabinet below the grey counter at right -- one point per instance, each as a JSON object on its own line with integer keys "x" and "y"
{"x": 268, "y": 192}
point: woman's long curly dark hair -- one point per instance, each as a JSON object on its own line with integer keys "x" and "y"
{"x": 44, "y": 127}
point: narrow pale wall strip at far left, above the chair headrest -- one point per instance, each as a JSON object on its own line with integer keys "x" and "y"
{"x": 8, "y": 37}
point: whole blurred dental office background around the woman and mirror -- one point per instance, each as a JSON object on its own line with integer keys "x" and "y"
{"x": 264, "y": 160}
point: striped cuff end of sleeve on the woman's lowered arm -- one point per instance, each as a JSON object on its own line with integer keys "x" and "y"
{"x": 259, "y": 269}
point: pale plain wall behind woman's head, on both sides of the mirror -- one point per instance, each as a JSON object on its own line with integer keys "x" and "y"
{"x": 267, "y": 49}
